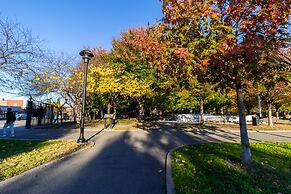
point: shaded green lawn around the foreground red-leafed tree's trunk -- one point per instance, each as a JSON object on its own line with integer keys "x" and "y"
{"x": 217, "y": 168}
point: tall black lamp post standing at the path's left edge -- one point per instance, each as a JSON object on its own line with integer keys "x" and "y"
{"x": 86, "y": 56}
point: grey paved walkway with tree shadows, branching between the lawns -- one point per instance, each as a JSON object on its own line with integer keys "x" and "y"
{"x": 129, "y": 162}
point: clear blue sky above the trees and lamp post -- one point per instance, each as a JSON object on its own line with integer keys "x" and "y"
{"x": 69, "y": 25}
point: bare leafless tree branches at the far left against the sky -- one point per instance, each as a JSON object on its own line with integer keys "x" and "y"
{"x": 19, "y": 53}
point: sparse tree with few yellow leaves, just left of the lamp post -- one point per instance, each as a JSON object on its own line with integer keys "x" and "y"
{"x": 56, "y": 81}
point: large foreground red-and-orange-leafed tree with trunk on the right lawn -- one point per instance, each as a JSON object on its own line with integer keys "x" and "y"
{"x": 230, "y": 41}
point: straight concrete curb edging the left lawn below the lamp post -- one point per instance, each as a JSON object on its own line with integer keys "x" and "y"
{"x": 44, "y": 165}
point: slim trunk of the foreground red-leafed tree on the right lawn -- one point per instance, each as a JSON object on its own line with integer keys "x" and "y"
{"x": 246, "y": 151}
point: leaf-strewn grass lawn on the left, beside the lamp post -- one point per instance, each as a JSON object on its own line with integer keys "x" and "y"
{"x": 17, "y": 156}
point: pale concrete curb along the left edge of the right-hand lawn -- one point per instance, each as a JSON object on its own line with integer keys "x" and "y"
{"x": 169, "y": 179}
